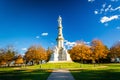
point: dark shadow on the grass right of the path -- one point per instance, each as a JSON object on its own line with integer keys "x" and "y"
{"x": 84, "y": 74}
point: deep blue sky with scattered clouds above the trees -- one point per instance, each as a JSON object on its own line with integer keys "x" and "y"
{"x": 28, "y": 22}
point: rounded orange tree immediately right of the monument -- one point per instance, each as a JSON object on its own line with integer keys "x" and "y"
{"x": 80, "y": 52}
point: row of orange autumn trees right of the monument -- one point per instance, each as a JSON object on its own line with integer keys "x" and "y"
{"x": 96, "y": 52}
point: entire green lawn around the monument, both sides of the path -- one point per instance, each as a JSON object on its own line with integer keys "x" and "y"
{"x": 79, "y": 71}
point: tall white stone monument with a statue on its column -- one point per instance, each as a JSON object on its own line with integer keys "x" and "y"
{"x": 60, "y": 52}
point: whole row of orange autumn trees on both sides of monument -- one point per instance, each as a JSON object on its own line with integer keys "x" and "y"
{"x": 96, "y": 52}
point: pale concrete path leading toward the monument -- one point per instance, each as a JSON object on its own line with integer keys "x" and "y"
{"x": 60, "y": 74}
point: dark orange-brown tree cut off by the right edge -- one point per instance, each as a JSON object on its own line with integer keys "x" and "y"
{"x": 115, "y": 51}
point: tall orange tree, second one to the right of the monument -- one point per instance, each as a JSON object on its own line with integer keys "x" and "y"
{"x": 98, "y": 50}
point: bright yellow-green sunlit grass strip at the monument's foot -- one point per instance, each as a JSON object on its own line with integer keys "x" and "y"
{"x": 68, "y": 65}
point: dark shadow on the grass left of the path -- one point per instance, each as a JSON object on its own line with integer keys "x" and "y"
{"x": 24, "y": 75}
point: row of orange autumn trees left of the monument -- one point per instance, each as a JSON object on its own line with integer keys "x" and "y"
{"x": 34, "y": 55}
